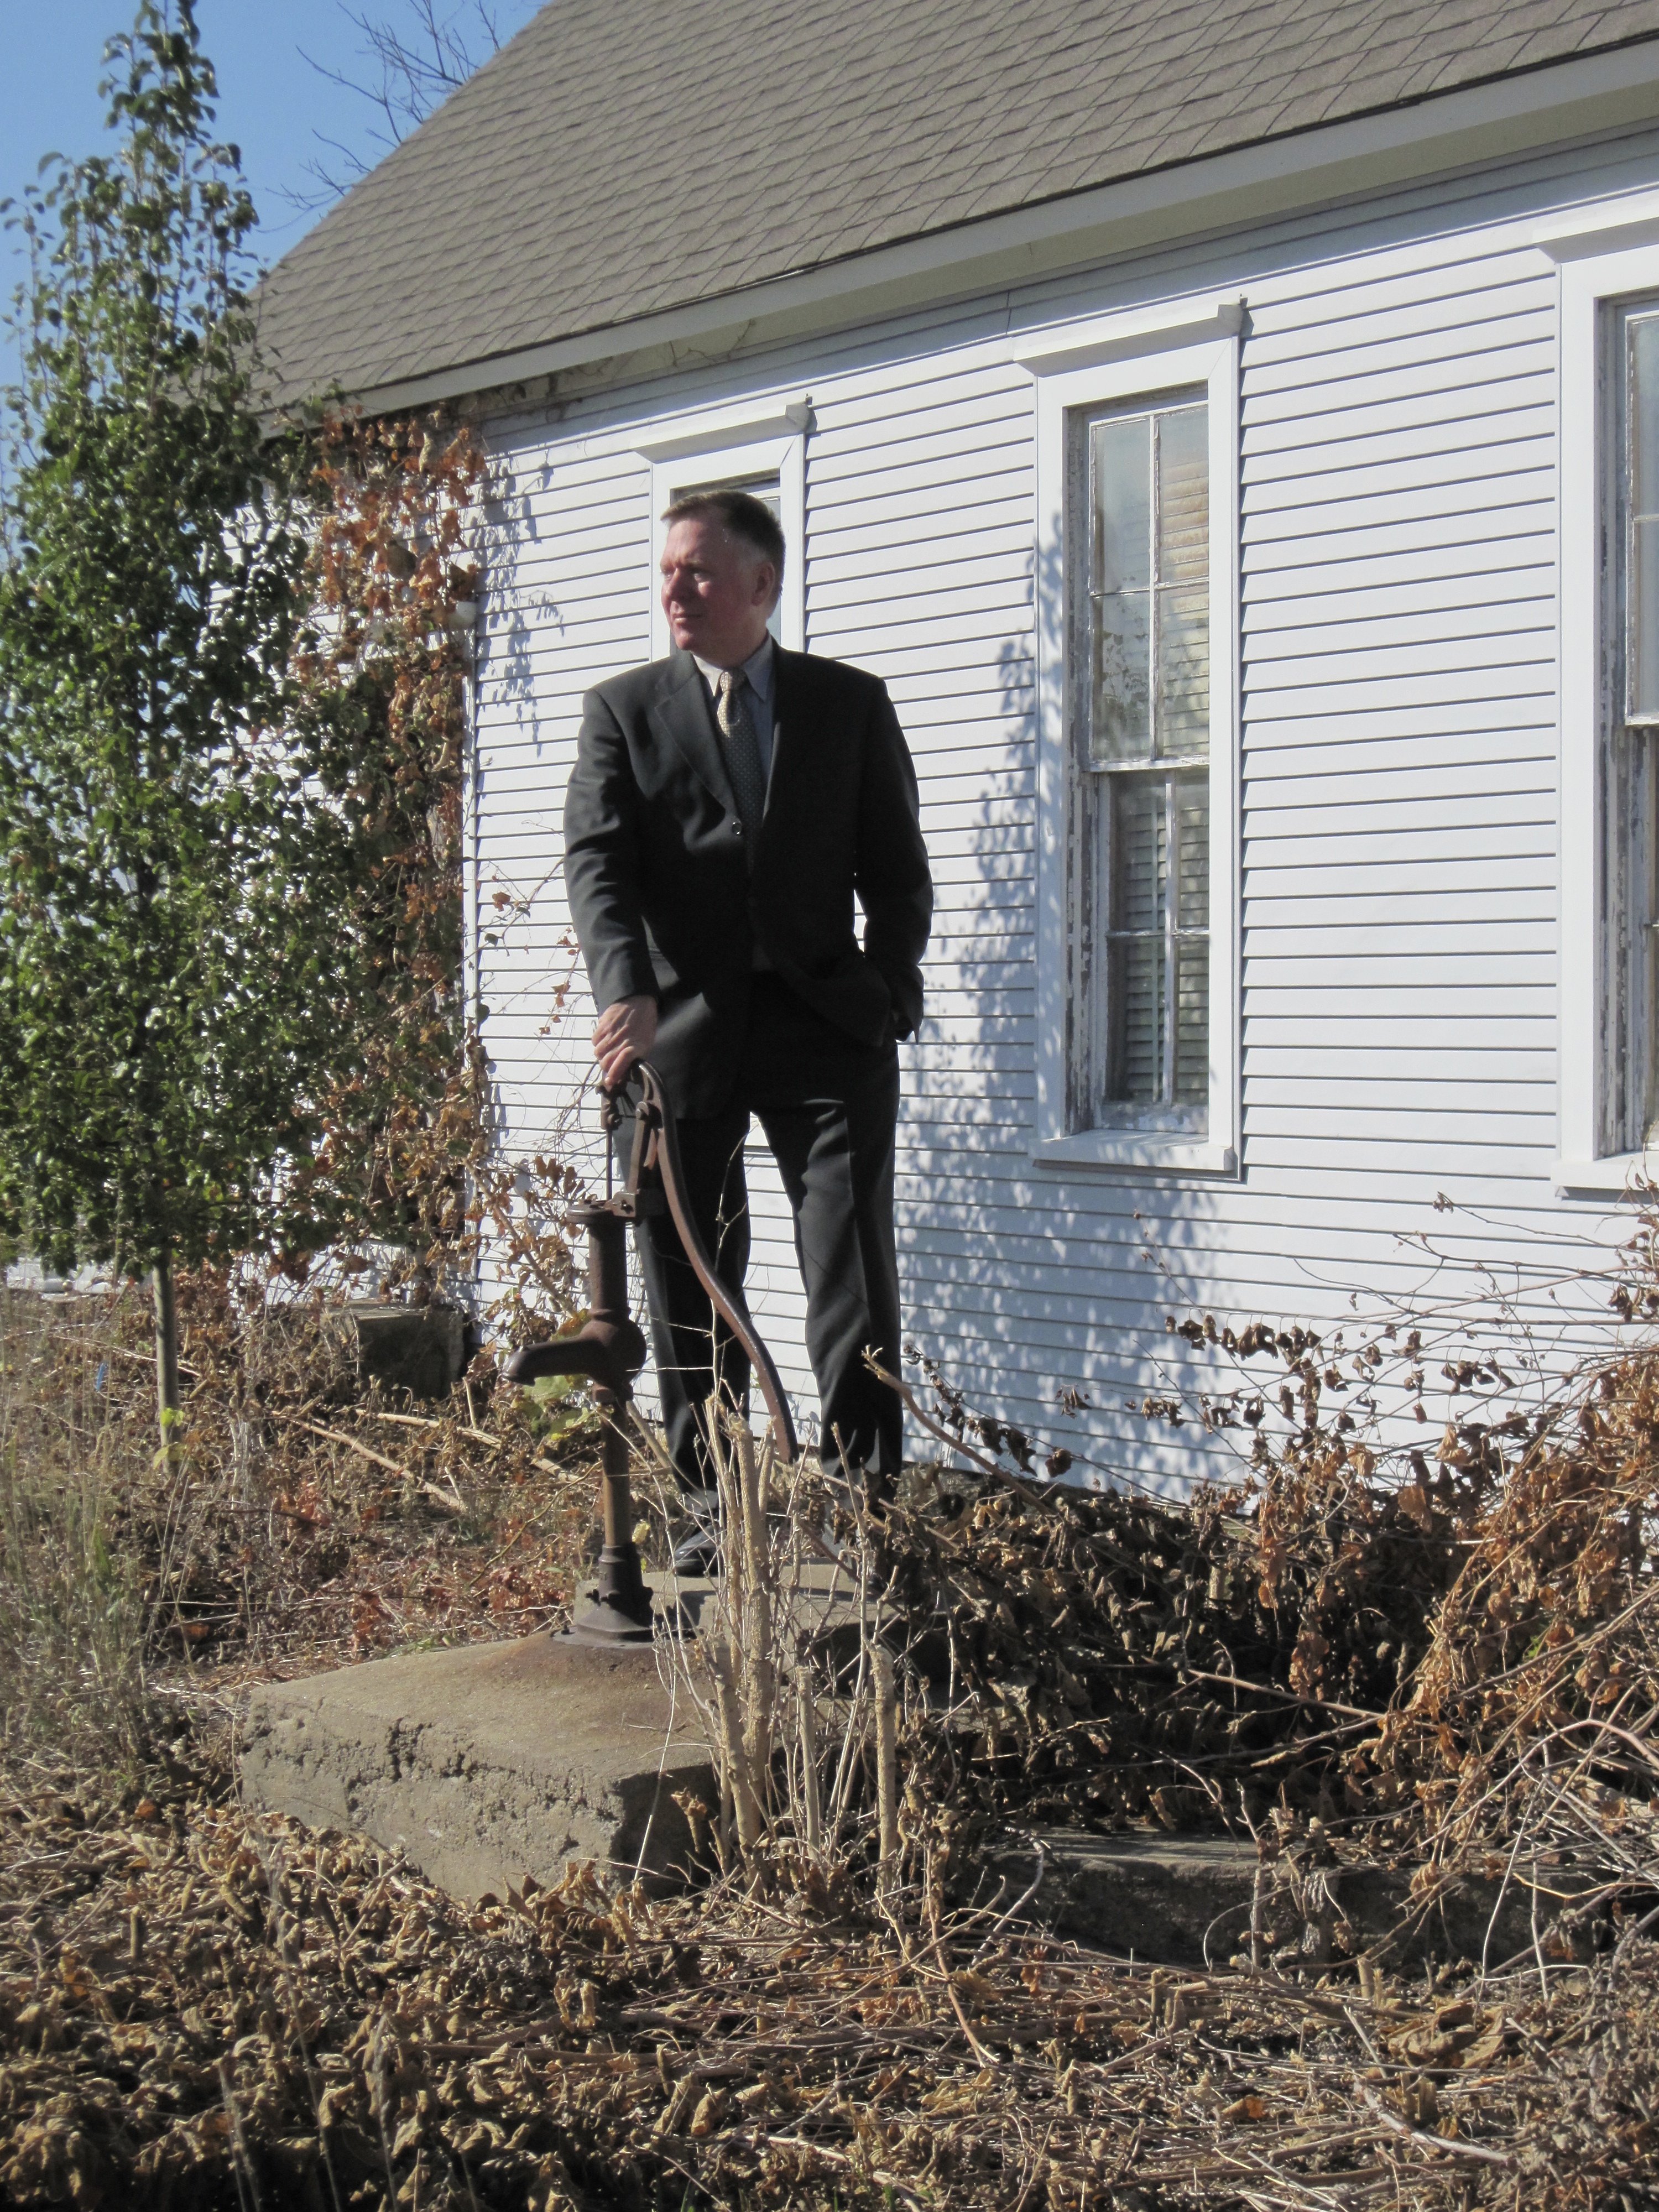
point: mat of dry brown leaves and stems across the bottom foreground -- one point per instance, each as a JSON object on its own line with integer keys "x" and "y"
{"x": 205, "y": 2010}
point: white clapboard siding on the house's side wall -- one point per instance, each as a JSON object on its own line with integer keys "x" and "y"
{"x": 1399, "y": 802}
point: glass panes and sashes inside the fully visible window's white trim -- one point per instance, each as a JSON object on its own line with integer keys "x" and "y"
{"x": 1140, "y": 1032}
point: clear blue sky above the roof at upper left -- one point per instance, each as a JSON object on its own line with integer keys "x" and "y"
{"x": 271, "y": 101}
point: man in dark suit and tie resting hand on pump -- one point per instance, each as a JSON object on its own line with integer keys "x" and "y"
{"x": 727, "y": 808}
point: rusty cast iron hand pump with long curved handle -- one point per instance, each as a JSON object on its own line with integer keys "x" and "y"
{"x": 612, "y": 1350}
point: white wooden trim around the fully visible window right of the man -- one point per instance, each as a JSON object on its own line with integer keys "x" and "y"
{"x": 1123, "y": 359}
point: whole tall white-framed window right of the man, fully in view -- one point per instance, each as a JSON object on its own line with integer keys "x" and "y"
{"x": 1138, "y": 744}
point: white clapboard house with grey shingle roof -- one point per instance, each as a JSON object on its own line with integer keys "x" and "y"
{"x": 1233, "y": 432}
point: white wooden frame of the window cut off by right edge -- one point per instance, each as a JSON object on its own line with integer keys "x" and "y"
{"x": 1594, "y": 921}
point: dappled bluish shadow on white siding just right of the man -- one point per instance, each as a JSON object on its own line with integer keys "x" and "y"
{"x": 1036, "y": 1288}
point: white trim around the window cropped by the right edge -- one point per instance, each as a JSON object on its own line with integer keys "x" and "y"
{"x": 1589, "y": 280}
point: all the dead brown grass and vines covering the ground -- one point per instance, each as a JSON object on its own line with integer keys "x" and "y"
{"x": 209, "y": 2010}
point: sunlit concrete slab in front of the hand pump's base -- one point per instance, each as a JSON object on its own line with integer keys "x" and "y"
{"x": 488, "y": 1762}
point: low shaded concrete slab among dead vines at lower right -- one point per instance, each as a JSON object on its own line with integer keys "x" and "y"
{"x": 1165, "y": 1897}
